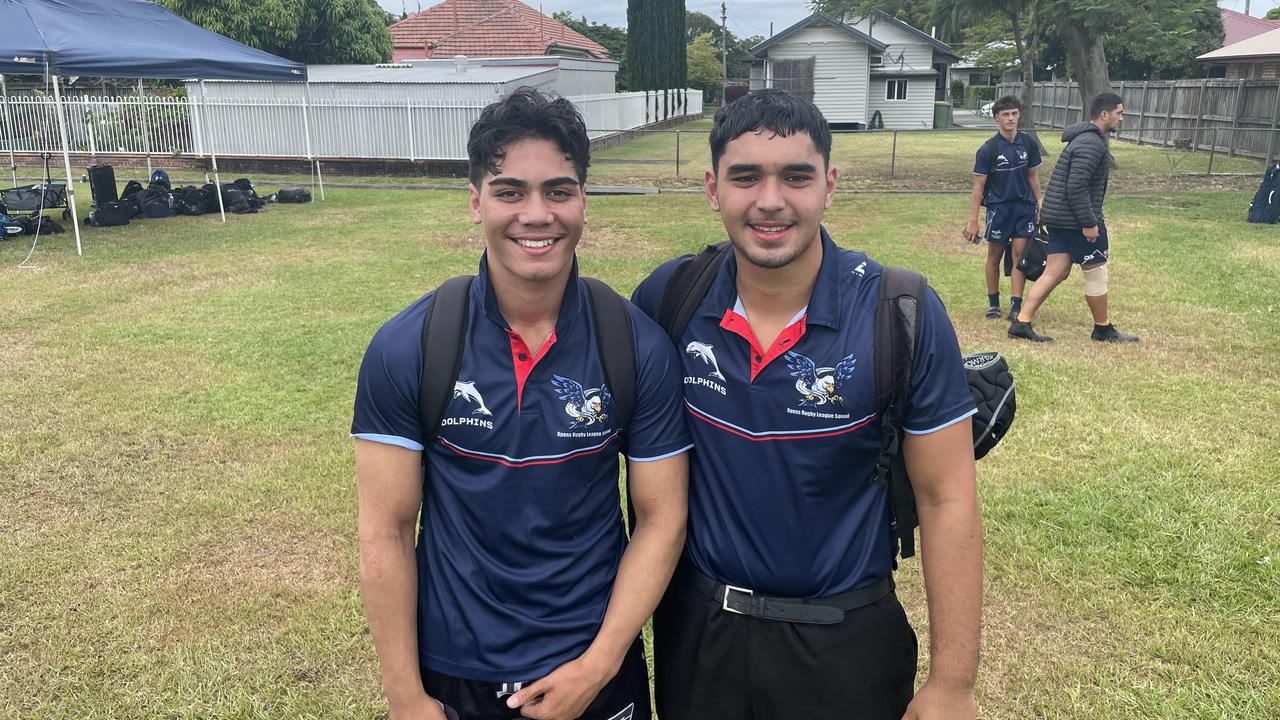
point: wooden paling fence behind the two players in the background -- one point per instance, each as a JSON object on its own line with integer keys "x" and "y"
{"x": 1219, "y": 116}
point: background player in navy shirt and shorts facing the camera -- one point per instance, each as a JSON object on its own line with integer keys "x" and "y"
{"x": 1005, "y": 180}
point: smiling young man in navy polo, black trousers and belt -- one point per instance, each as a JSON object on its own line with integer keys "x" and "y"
{"x": 783, "y": 607}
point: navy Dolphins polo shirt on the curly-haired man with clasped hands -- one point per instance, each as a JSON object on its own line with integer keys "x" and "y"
{"x": 522, "y": 530}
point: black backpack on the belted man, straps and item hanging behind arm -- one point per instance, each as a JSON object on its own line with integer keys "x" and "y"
{"x": 897, "y": 334}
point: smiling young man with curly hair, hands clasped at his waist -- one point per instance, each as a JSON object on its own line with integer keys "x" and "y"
{"x": 524, "y": 596}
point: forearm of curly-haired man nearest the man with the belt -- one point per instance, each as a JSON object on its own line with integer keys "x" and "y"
{"x": 643, "y": 577}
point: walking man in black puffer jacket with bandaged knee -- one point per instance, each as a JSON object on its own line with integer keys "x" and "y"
{"x": 1077, "y": 230}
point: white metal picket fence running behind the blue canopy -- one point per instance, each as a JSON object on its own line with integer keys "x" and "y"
{"x": 294, "y": 127}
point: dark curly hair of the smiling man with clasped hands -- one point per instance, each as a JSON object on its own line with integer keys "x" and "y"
{"x": 527, "y": 113}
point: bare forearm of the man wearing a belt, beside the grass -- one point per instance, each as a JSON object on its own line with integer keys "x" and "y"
{"x": 952, "y": 549}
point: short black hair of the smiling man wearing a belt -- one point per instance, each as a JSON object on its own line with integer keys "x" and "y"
{"x": 774, "y": 111}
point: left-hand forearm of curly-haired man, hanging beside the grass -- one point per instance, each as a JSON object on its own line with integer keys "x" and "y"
{"x": 390, "y": 584}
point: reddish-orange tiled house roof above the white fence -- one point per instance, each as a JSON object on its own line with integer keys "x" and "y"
{"x": 487, "y": 29}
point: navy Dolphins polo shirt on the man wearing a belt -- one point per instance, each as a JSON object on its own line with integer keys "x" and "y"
{"x": 787, "y": 438}
